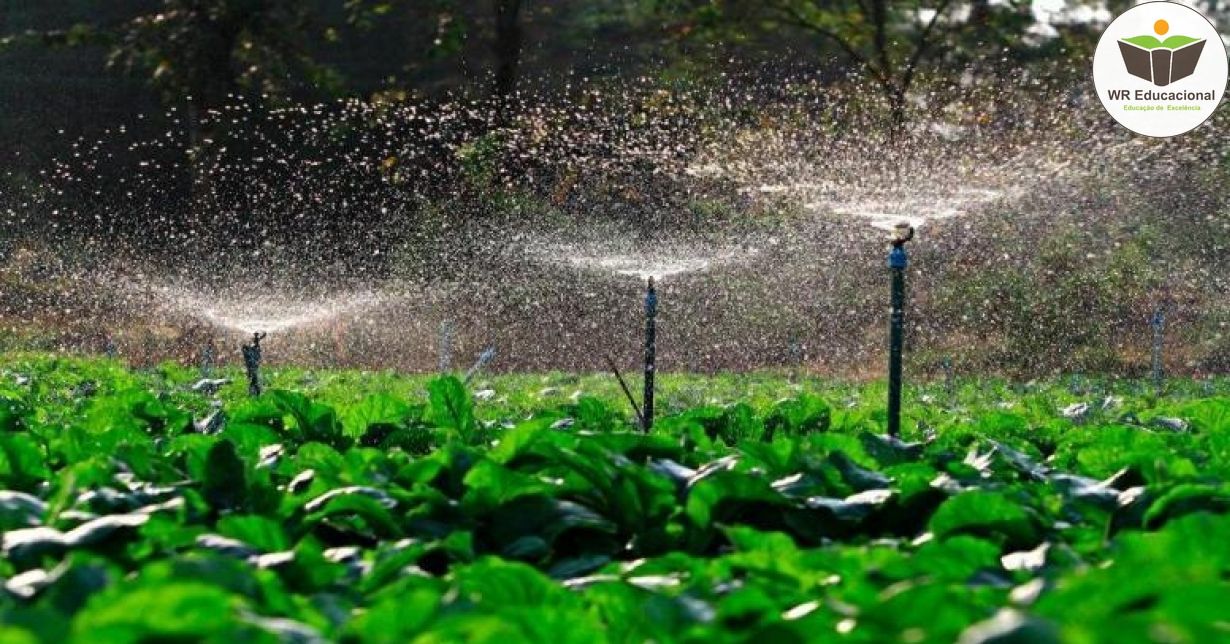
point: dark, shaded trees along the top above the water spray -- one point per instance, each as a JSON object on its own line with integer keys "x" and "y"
{"x": 79, "y": 68}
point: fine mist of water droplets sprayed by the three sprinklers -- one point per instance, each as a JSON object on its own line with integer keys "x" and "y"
{"x": 532, "y": 229}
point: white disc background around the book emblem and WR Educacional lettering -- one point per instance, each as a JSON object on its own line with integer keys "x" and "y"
{"x": 1110, "y": 72}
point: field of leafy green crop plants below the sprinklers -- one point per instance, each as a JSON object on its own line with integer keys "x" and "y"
{"x": 349, "y": 507}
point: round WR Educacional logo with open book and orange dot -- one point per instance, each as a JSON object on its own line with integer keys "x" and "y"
{"x": 1161, "y": 69}
